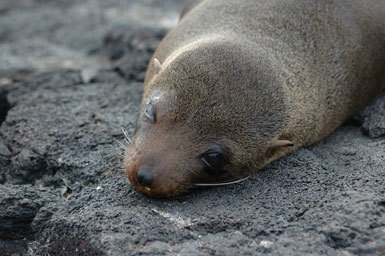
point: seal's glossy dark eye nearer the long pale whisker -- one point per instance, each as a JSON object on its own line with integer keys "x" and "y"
{"x": 213, "y": 160}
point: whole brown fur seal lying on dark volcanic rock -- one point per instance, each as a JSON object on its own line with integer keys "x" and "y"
{"x": 238, "y": 84}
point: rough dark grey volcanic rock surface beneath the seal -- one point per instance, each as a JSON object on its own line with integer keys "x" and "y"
{"x": 70, "y": 77}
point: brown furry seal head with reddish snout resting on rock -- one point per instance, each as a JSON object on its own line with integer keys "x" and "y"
{"x": 204, "y": 120}
